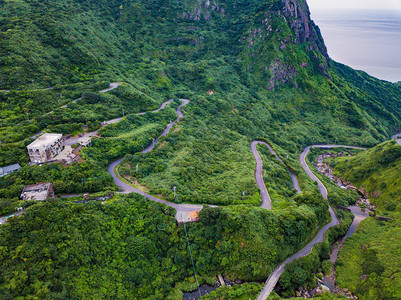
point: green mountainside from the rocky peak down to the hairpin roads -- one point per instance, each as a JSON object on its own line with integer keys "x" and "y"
{"x": 266, "y": 64}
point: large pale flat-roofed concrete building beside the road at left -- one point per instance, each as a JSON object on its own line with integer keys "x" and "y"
{"x": 45, "y": 147}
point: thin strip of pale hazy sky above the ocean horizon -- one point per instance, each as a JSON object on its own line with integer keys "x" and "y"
{"x": 355, "y": 4}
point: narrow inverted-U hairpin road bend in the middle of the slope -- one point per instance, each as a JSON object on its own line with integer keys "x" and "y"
{"x": 266, "y": 200}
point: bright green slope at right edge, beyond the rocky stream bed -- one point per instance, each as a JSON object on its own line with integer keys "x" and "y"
{"x": 369, "y": 263}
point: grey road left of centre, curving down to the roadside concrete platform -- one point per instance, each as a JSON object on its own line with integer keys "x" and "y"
{"x": 183, "y": 209}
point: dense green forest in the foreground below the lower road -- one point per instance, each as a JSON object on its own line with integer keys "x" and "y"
{"x": 132, "y": 247}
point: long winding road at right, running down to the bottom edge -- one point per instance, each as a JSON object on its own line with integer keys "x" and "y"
{"x": 275, "y": 276}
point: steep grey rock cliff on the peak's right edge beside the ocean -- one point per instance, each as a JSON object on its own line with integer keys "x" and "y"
{"x": 298, "y": 16}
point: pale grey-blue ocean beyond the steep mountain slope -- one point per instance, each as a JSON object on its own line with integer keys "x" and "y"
{"x": 364, "y": 40}
